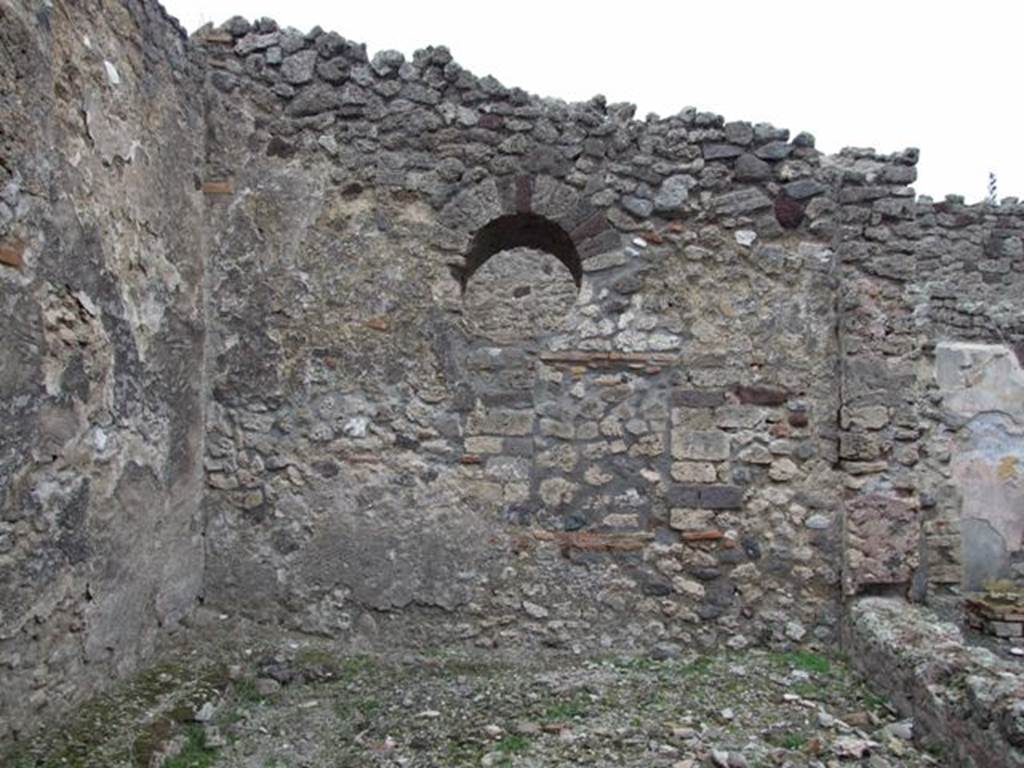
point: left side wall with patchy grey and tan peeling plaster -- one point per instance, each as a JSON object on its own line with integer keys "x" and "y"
{"x": 102, "y": 351}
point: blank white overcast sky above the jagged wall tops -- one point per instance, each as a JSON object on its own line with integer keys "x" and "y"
{"x": 944, "y": 76}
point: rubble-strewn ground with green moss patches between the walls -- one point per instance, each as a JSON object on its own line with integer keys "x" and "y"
{"x": 287, "y": 705}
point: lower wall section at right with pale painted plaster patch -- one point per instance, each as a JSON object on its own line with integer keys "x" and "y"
{"x": 932, "y": 437}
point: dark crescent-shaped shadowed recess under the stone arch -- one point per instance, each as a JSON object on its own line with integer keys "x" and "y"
{"x": 521, "y": 231}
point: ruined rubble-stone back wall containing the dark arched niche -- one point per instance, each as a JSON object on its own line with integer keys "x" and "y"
{"x": 630, "y": 443}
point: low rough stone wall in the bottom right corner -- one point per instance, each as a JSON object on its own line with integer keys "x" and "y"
{"x": 967, "y": 704}
